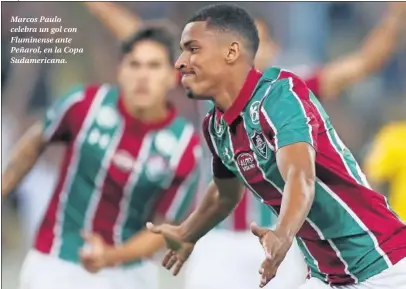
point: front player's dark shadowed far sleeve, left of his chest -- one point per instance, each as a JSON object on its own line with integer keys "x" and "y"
{"x": 219, "y": 170}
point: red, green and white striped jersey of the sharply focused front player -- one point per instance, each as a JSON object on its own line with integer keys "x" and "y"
{"x": 350, "y": 234}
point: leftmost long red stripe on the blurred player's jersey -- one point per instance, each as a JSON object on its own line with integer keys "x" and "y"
{"x": 74, "y": 119}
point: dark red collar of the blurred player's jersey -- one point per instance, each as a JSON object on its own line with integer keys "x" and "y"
{"x": 142, "y": 126}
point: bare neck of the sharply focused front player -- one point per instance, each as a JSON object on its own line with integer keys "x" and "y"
{"x": 231, "y": 89}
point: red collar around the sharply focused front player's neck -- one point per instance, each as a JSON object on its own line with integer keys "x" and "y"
{"x": 243, "y": 97}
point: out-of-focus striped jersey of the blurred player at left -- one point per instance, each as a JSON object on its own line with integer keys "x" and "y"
{"x": 117, "y": 172}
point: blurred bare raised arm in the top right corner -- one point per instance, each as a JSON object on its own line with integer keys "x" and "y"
{"x": 375, "y": 51}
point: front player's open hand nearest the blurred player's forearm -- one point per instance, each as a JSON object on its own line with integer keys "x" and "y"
{"x": 178, "y": 250}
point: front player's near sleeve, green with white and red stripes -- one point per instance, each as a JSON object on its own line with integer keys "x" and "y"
{"x": 287, "y": 115}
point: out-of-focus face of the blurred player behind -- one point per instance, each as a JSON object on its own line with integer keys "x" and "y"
{"x": 146, "y": 75}
